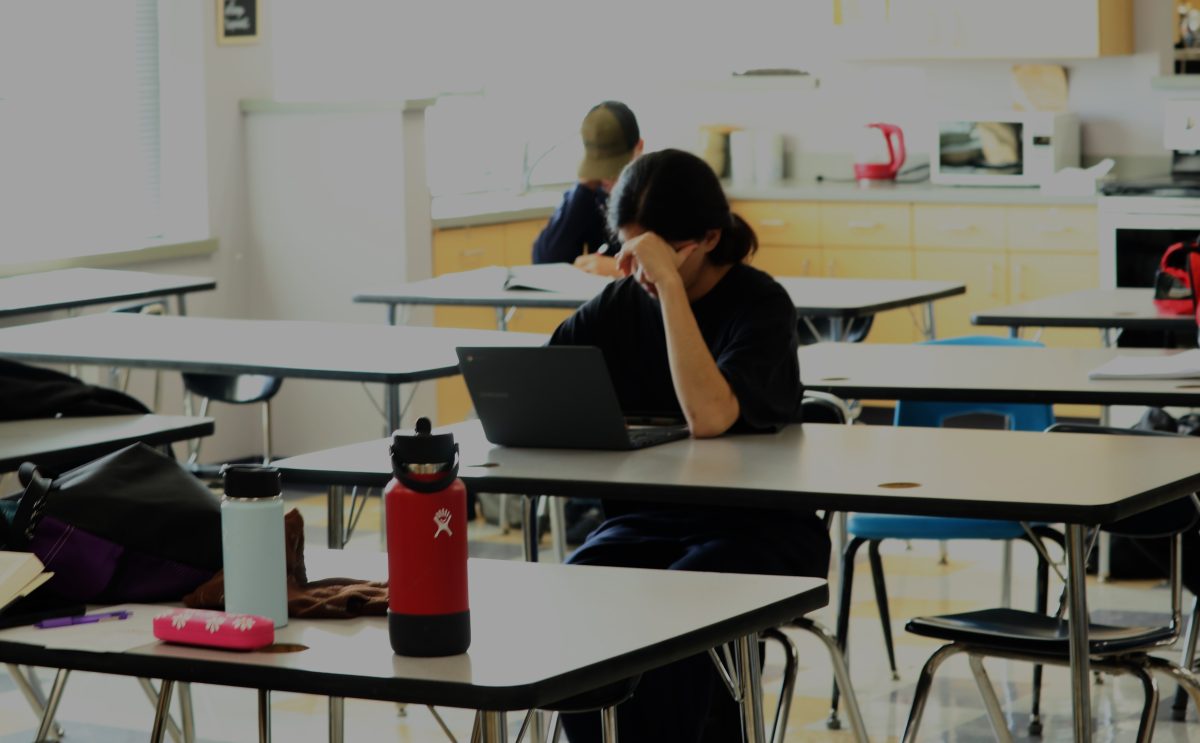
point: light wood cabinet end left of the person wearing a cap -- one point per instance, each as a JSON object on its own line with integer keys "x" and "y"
{"x": 464, "y": 249}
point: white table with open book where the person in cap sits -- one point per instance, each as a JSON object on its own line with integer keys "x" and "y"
{"x": 841, "y": 301}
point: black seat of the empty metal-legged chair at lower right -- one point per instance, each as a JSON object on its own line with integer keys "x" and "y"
{"x": 1025, "y": 632}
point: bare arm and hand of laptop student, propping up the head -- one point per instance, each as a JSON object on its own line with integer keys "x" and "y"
{"x": 705, "y": 396}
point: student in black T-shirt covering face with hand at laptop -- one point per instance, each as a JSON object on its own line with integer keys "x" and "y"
{"x": 692, "y": 332}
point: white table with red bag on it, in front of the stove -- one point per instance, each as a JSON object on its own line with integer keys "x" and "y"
{"x": 1103, "y": 309}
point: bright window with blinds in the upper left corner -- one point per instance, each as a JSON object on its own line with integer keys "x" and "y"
{"x": 82, "y": 158}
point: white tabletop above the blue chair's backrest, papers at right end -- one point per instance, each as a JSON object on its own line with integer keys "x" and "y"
{"x": 985, "y": 374}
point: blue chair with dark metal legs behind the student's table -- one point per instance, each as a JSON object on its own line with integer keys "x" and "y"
{"x": 874, "y": 529}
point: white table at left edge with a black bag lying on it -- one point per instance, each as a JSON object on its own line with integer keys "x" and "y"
{"x": 59, "y": 444}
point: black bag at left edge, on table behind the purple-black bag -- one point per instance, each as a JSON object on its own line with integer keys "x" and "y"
{"x": 32, "y": 392}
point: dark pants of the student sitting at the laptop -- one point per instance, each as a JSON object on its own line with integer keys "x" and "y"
{"x": 687, "y": 702}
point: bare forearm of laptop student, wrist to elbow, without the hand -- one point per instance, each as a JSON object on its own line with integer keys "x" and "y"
{"x": 705, "y": 396}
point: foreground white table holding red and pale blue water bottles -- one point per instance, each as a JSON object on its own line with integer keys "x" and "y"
{"x": 514, "y": 606}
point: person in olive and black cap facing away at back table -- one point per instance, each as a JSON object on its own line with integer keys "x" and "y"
{"x": 577, "y": 232}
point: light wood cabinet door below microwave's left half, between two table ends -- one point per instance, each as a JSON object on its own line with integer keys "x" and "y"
{"x": 986, "y": 278}
